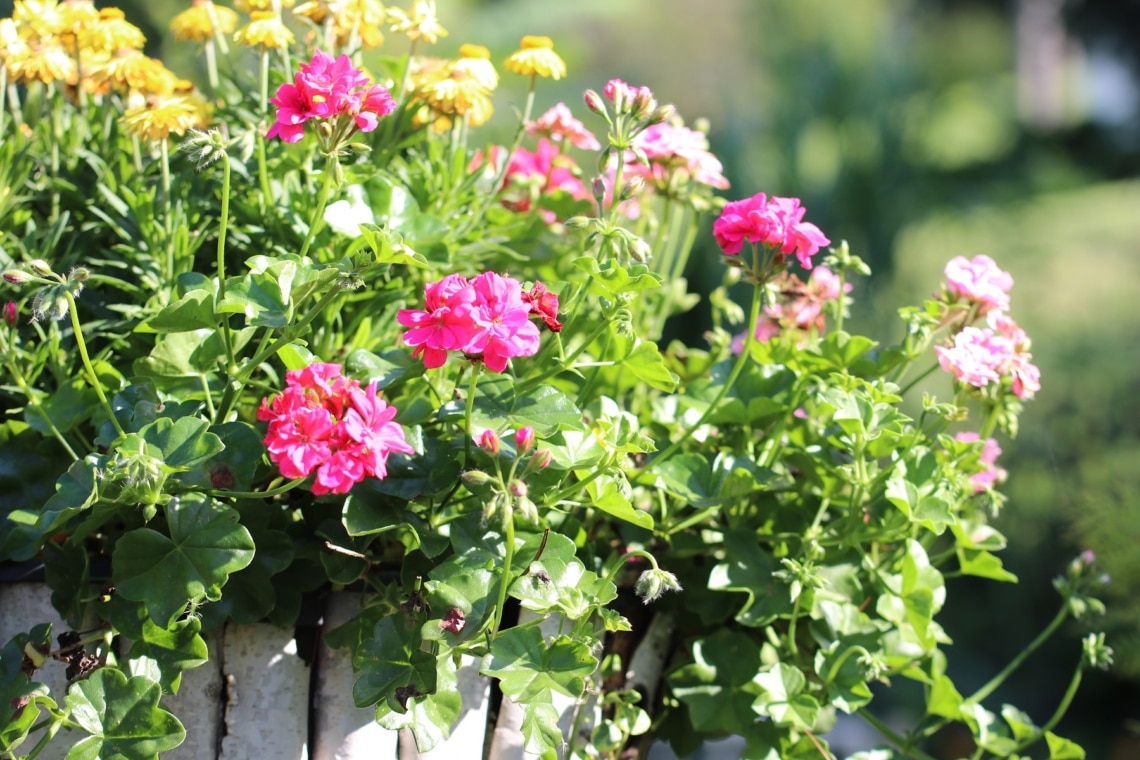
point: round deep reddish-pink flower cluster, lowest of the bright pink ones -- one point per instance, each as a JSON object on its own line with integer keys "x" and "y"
{"x": 327, "y": 423}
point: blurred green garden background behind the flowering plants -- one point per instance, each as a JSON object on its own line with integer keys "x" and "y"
{"x": 919, "y": 132}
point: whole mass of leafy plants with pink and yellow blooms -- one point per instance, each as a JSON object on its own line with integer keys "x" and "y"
{"x": 260, "y": 348}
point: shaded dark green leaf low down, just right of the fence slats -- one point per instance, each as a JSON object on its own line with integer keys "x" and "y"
{"x": 718, "y": 687}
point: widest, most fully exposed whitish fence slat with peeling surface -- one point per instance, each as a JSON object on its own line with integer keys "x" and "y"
{"x": 268, "y": 694}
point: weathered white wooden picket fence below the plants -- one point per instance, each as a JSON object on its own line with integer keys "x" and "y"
{"x": 256, "y": 697}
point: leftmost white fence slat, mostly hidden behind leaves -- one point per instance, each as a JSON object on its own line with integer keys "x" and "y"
{"x": 22, "y": 607}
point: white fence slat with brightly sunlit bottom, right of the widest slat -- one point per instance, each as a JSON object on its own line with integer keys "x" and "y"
{"x": 345, "y": 732}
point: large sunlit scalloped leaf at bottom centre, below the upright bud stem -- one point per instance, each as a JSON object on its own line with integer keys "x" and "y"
{"x": 531, "y": 668}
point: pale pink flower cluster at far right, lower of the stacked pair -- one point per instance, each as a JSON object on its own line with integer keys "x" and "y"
{"x": 981, "y": 356}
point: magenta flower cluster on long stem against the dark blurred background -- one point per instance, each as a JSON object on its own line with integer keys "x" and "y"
{"x": 776, "y": 223}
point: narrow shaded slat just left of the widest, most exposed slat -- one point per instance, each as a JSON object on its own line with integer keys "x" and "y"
{"x": 199, "y": 705}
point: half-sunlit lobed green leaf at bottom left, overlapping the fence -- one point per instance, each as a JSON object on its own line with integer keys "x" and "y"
{"x": 123, "y": 716}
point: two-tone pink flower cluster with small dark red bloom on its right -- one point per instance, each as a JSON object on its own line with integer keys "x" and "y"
{"x": 487, "y": 318}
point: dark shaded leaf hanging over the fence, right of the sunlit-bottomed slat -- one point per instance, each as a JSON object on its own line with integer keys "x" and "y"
{"x": 393, "y": 660}
